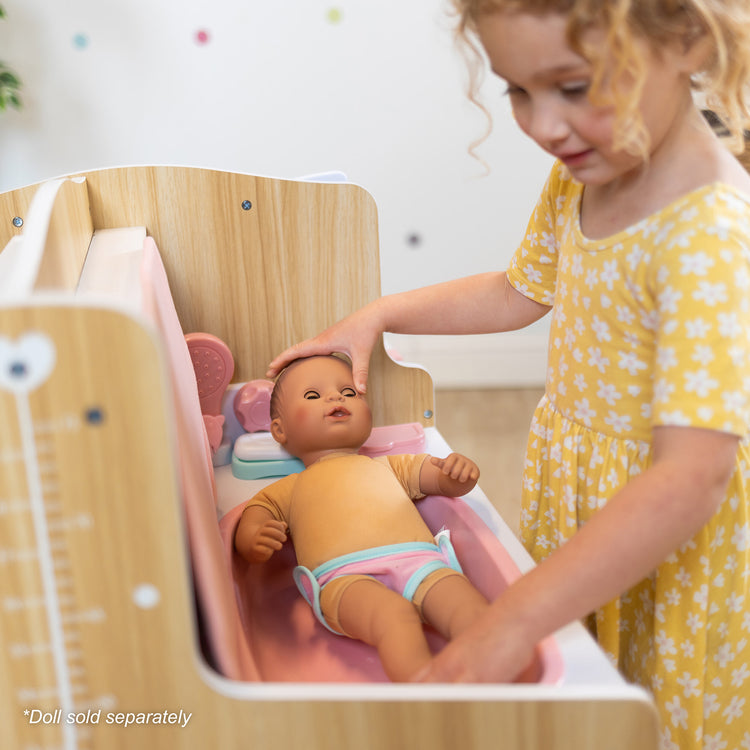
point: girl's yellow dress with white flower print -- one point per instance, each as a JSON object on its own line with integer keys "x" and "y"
{"x": 650, "y": 327}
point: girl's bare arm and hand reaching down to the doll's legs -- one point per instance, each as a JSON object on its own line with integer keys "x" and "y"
{"x": 651, "y": 517}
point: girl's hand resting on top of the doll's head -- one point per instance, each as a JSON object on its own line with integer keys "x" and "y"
{"x": 355, "y": 336}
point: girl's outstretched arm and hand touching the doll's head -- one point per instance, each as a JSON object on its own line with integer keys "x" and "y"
{"x": 486, "y": 303}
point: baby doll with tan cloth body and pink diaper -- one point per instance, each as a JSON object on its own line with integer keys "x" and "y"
{"x": 368, "y": 564}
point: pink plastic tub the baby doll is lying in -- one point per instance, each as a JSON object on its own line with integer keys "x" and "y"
{"x": 289, "y": 645}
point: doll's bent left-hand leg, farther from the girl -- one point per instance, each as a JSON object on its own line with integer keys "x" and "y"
{"x": 371, "y": 612}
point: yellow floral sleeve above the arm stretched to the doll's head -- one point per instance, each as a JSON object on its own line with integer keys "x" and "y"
{"x": 533, "y": 268}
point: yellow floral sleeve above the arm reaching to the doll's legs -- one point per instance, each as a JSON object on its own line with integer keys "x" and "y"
{"x": 700, "y": 279}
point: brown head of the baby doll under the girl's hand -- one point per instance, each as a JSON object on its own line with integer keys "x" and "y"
{"x": 316, "y": 410}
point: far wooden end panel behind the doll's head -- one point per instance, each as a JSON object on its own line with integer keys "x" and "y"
{"x": 301, "y": 256}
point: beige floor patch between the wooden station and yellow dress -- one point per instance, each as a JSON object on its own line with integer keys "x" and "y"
{"x": 490, "y": 426}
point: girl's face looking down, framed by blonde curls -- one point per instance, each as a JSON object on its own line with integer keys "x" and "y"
{"x": 548, "y": 86}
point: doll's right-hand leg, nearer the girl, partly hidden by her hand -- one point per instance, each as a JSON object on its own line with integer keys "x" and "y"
{"x": 452, "y": 604}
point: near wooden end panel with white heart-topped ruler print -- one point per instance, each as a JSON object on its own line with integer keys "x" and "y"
{"x": 97, "y": 465}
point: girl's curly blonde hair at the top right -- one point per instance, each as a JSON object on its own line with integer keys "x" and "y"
{"x": 725, "y": 82}
